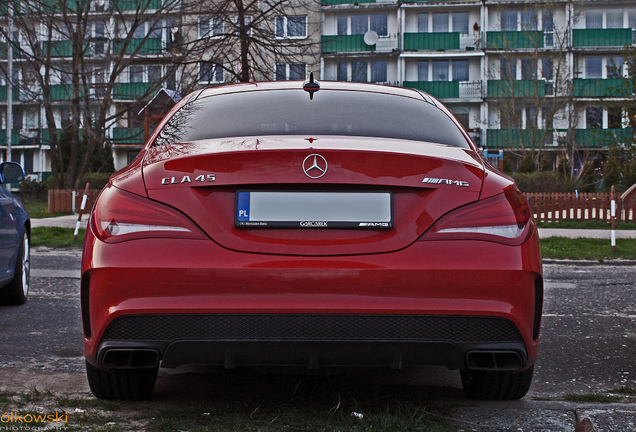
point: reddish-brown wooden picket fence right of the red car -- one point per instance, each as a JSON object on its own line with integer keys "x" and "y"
{"x": 551, "y": 207}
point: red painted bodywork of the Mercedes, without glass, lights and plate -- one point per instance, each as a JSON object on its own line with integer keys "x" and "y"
{"x": 310, "y": 271}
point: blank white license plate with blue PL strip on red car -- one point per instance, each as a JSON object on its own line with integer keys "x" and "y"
{"x": 264, "y": 209}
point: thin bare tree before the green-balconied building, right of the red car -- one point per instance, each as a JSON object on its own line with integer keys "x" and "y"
{"x": 530, "y": 89}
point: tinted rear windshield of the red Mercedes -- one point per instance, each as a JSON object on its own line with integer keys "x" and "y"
{"x": 291, "y": 112}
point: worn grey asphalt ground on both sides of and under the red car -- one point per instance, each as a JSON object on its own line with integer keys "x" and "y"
{"x": 588, "y": 346}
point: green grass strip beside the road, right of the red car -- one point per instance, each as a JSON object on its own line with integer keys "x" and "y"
{"x": 587, "y": 249}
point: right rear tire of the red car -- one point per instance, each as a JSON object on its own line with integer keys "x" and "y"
{"x": 497, "y": 385}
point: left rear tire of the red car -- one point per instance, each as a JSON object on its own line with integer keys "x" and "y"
{"x": 121, "y": 384}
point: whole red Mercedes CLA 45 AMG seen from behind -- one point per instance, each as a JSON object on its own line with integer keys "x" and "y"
{"x": 275, "y": 224}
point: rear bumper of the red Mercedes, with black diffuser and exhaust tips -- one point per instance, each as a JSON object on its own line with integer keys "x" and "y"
{"x": 462, "y": 304}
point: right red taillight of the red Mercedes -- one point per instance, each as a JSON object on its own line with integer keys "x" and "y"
{"x": 503, "y": 218}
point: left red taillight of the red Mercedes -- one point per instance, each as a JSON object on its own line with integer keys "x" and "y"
{"x": 120, "y": 216}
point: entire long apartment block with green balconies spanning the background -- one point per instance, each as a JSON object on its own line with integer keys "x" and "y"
{"x": 519, "y": 75}
